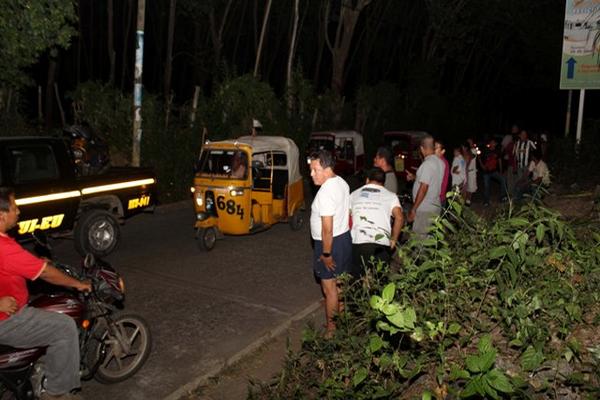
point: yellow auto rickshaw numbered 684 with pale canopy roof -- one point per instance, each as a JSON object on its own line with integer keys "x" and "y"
{"x": 244, "y": 186}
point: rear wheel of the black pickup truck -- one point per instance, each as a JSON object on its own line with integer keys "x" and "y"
{"x": 97, "y": 232}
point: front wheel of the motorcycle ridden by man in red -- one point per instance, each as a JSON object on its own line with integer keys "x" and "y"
{"x": 124, "y": 349}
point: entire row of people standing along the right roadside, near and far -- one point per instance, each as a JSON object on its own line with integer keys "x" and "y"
{"x": 352, "y": 229}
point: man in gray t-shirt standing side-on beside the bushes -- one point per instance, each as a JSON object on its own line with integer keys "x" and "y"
{"x": 426, "y": 189}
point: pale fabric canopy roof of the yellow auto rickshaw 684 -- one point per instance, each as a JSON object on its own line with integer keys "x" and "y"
{"x": 263, "y": 144}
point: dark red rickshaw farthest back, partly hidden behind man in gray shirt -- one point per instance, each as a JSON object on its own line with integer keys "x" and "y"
{"x": 405, "y": 146}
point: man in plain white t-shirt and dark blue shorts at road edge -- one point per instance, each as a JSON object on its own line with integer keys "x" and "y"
{"x": 329, "y": 228}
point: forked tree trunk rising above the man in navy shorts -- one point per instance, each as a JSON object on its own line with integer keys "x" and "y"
{"x": 348, "y": 18}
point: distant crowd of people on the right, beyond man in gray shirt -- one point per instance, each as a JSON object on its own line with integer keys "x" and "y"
{"x": 517, "y": 165}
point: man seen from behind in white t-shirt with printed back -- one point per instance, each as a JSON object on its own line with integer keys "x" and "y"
{"x": 372, "y": 207}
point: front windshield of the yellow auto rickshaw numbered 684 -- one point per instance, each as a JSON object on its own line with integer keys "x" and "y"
{"x": 228, "y": 164}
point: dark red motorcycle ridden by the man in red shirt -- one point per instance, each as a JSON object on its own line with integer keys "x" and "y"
{"x": 113, "y": 346}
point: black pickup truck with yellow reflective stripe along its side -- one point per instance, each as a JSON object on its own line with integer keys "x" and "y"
{"x": 53, "y": 199}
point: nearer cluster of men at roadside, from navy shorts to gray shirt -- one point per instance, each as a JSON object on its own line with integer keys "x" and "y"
{"x": 350, "y": 229}
